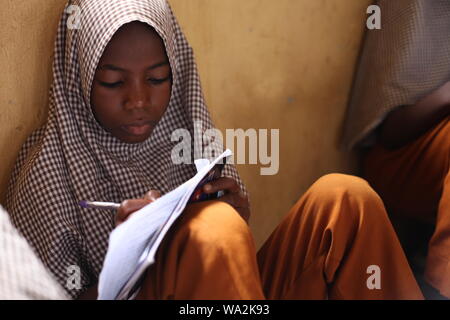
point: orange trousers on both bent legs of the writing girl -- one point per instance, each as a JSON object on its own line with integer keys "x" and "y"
{"x": 325, "y": 248}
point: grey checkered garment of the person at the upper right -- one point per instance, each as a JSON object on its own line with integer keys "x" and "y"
{"x": 400, "y": 64}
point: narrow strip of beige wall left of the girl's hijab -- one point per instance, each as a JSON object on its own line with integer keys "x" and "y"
{"x": 28, "y": 33}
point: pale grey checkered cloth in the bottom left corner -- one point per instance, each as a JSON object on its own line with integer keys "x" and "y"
{"x": 22, "y": 274}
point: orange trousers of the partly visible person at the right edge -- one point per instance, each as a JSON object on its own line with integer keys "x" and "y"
{"x": 414, "y": 183}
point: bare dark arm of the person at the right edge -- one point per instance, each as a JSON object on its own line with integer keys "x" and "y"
{"x": 409, "y": 122}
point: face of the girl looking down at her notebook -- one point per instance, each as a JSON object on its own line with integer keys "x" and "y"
{"x": 132, "y": 84}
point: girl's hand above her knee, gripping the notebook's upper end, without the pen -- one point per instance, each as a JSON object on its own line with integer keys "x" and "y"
{"x": 233, "y": 195}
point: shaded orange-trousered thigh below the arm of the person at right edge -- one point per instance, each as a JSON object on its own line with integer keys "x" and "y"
{"x": 410, "y": 179}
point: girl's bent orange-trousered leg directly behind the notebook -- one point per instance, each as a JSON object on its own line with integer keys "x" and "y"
{"x": 208, "y": 254}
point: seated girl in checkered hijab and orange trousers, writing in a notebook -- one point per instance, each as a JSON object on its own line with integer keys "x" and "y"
{"x": 123, "y": 82}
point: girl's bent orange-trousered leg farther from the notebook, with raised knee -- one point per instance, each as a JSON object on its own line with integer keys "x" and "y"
{"x": 330, "y": 243}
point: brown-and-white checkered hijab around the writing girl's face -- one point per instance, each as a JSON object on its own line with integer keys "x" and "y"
{"x": 73, "y": 158}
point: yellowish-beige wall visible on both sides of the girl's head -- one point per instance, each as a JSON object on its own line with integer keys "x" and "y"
{"x": 285, "y": 64}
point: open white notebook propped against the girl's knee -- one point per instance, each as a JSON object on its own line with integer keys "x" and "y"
{"x": 133, "y": 245}
